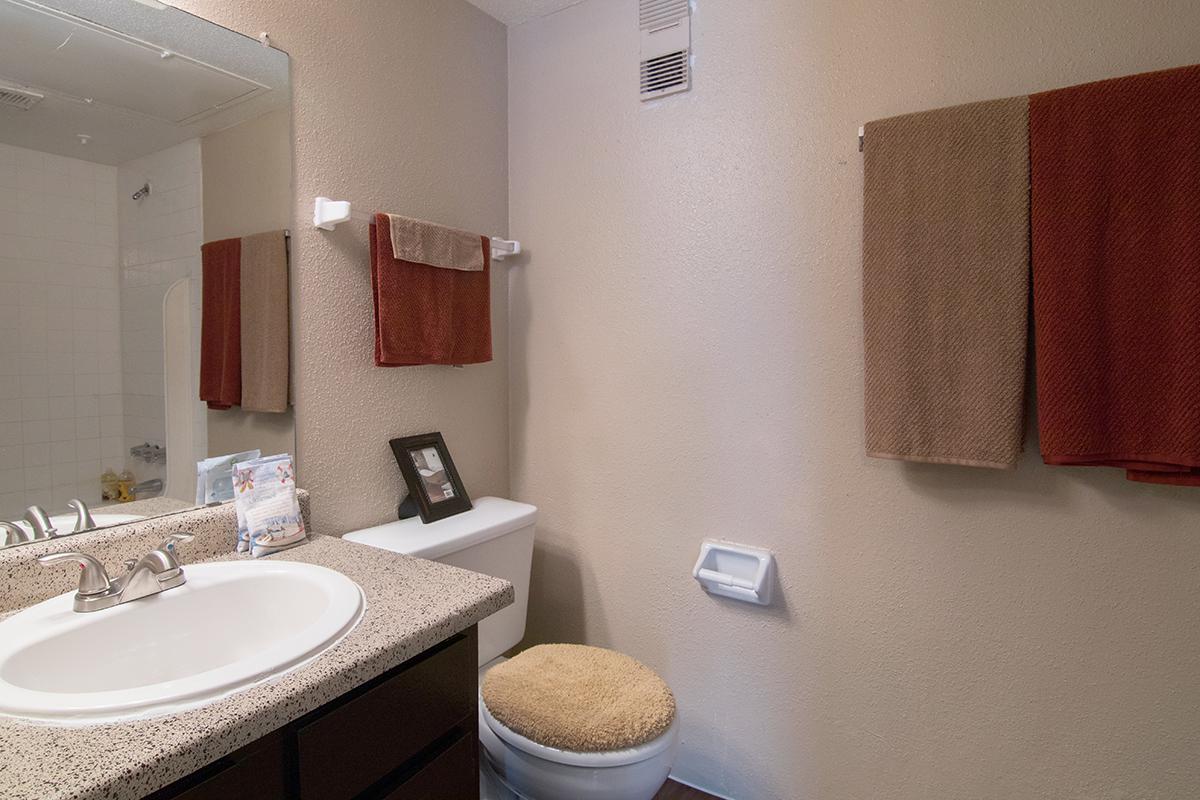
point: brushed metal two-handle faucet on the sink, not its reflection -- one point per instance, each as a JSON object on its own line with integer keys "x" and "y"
{"x": 154, "y": 573}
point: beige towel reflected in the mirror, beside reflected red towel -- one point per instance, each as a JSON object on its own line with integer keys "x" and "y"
{"x": 265, "y": 323}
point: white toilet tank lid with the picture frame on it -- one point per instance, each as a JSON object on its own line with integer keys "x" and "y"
{"x": 489, "y": 519}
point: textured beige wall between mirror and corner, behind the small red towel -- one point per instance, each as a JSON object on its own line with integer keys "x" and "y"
{"x": 399, "y": 105}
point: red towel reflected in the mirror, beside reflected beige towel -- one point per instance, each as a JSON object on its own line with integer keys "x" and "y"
{"x": 221, "y": 324}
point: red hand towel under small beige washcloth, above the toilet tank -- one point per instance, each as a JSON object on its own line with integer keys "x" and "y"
{"x": 429, "y": 315}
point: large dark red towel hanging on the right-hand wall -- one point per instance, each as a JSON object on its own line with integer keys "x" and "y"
{"x": 1115, "y": 171}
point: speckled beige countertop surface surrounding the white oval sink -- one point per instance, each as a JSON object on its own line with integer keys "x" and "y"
{"x": 412, "y": 605}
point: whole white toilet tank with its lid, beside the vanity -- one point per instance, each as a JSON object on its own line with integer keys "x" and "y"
{"x": 495, "y": 538}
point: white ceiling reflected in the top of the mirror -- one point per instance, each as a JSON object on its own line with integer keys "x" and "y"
{"x": 133, "y": 79}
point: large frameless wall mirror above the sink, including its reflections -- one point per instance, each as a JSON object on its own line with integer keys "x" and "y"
{"x": 146, "y": 195}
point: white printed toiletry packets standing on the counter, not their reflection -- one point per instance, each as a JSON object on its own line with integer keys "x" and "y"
{"x": 268, "y": 510}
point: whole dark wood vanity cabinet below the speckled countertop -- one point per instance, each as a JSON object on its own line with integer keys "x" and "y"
{"x": 410, "y": 735}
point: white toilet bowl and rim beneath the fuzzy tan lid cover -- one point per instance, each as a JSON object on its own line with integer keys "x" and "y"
{"x": 517, "y": 768}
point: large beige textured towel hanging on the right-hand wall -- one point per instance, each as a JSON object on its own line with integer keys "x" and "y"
{"x": 946, "y": 264}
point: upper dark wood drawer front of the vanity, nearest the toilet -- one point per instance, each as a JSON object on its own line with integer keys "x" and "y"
{"x": 349, "y": 749}
